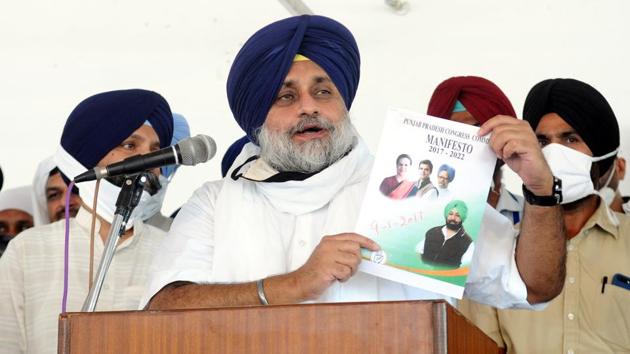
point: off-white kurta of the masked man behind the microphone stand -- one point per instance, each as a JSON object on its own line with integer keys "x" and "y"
{"x": 31, "y": 280}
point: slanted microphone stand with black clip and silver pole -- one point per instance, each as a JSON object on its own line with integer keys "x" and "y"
{"x": 128, "y": 199}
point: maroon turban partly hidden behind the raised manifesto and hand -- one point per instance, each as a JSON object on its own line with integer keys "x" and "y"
{"x": 482, "y": 98}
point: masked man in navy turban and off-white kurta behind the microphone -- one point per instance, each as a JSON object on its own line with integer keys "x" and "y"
{"x": 101, "y": 130}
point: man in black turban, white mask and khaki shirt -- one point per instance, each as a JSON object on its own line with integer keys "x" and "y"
{"x": 580, "y": 138}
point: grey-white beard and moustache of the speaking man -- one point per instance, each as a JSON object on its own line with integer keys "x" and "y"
{"x": 280, "y": 152}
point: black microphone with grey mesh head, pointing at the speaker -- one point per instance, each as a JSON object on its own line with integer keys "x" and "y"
{"x": 189, "y": 152}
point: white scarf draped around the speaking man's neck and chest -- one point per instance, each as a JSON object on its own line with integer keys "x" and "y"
{"x": 255, "y": 217}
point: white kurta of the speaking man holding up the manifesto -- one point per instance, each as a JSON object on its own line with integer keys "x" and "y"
{"x": 238, "y": 231}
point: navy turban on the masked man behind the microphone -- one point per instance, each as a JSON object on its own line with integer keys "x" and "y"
{"x": 101, "y": 122}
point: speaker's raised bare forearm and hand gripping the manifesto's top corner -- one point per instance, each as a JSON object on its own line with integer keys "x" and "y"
{"x": 540, "y": 249}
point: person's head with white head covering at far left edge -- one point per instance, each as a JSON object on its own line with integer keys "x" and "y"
{"x": 16, "y": 213}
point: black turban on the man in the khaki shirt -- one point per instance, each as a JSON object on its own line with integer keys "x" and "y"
{"x": 582, "y": 107}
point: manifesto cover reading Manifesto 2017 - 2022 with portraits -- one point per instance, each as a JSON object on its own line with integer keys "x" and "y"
{"x": 425, "y": 201}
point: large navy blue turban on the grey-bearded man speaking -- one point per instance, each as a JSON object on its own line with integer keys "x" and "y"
{"x": 261, "y": 66}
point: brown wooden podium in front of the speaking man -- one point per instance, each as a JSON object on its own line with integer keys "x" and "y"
{"x": 375, "y": 327}
